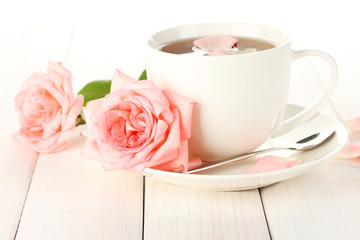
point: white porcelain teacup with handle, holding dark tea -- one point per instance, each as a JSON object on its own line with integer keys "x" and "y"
{"x": 241, "y": 98}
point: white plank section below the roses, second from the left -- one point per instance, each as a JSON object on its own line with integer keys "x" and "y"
{"x": 74, "y": 198}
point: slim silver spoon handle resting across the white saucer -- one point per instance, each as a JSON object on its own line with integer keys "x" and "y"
{"x": 232, "y": 159}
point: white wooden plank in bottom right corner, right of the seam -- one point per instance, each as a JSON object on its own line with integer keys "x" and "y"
{"x": 322, "y": 204}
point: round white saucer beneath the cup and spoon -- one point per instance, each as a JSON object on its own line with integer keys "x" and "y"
{"x": 232, "y": 177}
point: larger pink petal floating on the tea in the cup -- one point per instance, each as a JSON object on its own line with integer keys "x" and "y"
{"x": 215, "y": 43}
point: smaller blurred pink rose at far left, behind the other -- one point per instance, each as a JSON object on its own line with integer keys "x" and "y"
{"x": 47, "y": 109}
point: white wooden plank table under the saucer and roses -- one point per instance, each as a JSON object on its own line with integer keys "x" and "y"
{"x": 65, "y": 196}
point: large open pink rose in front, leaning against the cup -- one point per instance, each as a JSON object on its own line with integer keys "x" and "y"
{"x": 138, "y": 126}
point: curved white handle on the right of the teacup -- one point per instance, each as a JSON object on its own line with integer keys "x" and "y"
{"x": 311, "y": 110}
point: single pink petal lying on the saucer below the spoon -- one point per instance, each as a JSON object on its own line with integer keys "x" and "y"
{"x": 272, "y": 163}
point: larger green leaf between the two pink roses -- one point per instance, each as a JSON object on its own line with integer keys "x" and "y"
{"x": 95, "y": 90}
